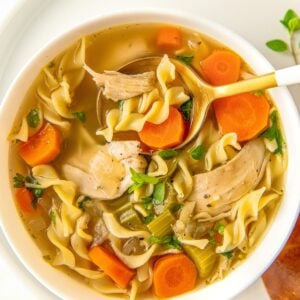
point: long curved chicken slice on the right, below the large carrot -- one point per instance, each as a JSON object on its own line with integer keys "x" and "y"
{"x": 230, "y": 182}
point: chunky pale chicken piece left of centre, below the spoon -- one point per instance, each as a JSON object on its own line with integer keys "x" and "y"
{"x": 103, "y": 172}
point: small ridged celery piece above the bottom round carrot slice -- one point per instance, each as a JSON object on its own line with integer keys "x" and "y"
{"x": 162, "y": 225}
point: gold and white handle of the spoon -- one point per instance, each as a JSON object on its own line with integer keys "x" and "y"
{"x": 281, "y": 77}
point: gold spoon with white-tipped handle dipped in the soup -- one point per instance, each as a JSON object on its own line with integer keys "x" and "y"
{"x": 204, "y": 94}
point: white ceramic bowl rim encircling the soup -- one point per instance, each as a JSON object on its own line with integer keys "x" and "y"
{"x": 67, "y": 288}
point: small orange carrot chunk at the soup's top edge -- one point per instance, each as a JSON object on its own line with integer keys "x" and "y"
{"x": 169, "y": 38}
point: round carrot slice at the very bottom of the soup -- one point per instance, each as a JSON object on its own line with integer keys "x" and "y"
{"x": 173, "y": 274}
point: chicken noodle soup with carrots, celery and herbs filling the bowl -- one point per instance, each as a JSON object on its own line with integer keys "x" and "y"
{"x": 101, "y": 185}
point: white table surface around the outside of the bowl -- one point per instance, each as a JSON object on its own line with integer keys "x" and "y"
{"x": 255, "y": 20}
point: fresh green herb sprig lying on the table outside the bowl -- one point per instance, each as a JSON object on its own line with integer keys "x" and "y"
{"x": 291, "y": 22}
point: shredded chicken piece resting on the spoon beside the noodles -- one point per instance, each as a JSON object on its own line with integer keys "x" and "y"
{"x": 117, "y": 86}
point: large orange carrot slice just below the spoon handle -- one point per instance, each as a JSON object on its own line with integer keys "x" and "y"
{"x": 246, "y": 114}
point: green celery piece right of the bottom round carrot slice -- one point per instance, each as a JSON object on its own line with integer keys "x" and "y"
{"x": 205, "y": 260}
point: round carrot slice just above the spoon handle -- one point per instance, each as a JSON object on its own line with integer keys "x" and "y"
{"x": 221, "y": 67}
